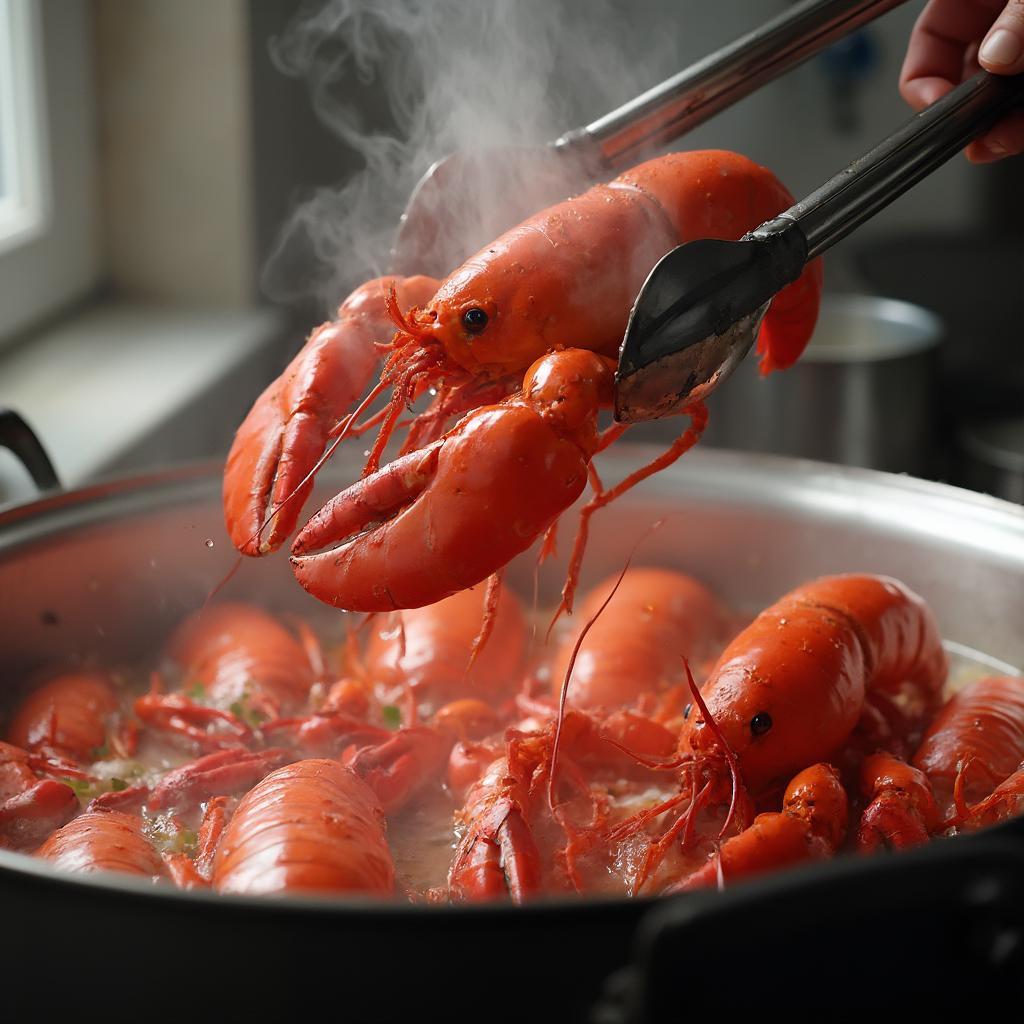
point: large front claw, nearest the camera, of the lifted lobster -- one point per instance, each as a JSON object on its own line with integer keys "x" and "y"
{"x": 444, "y": 519}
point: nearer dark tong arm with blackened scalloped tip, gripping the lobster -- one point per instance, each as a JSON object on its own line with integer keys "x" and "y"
{"x": 700, "y": 311}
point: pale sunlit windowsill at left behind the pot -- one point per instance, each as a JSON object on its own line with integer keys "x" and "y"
{"x": 123, "y": 386}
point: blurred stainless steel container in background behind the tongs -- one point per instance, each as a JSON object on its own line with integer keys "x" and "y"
{"x": 861, "y": 396}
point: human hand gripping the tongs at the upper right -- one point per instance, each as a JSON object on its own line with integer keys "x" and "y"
{"x": 952, "y": 41}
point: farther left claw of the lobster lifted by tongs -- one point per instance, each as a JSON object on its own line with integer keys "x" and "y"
{"x": 269, "y": 476}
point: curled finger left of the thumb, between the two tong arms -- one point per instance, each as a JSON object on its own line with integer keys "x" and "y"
{"x": 940, "y": 42}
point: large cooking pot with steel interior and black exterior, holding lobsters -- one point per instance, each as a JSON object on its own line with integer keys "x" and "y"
{"x": 108, "y": 571}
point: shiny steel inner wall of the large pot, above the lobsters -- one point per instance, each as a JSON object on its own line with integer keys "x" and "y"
{"x": 108, "y": 571}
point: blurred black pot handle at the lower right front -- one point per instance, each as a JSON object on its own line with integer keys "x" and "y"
{"x": 838, "y": 934}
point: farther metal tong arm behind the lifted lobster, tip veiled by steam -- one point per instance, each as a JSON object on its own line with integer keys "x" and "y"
{"x": 472, "y": 197}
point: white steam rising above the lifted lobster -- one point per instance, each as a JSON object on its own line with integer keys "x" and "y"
{"x": 405, "y": 82}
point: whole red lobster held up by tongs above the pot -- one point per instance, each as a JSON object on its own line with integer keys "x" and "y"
{"x": 521, "y": 344}
